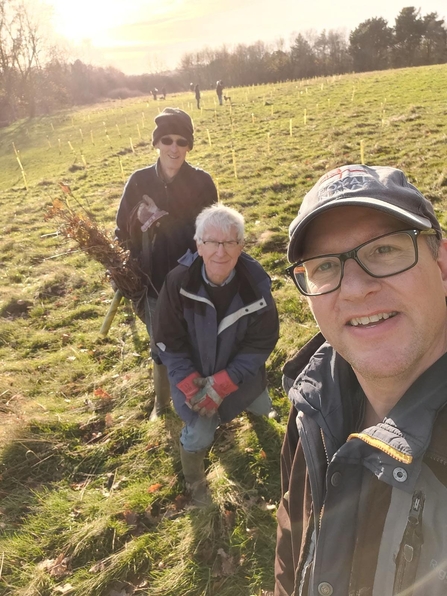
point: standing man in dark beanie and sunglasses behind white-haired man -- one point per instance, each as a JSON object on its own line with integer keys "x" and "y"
{"x": 156, "y": 220}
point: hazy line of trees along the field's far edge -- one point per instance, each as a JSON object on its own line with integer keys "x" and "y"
{"x": 36, "y": 77}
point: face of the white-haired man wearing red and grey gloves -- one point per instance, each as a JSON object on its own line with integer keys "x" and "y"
{"x": 219, "y": 262}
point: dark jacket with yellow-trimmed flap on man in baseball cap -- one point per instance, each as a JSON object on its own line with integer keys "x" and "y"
{"x": 363, "y": 511}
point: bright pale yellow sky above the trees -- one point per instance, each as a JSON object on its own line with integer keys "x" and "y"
{"x": 138, "y": 36}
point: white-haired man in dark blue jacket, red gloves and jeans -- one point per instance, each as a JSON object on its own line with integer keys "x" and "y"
{"x": 216, "y": 324}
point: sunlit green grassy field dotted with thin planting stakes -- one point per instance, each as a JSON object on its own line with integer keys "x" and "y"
{"x": 91, "y": 496}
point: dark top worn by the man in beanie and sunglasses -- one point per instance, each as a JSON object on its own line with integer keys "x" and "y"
{"x": 159, "y": 248}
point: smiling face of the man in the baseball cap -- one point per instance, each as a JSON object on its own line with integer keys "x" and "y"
{"x": 401, "y": 320}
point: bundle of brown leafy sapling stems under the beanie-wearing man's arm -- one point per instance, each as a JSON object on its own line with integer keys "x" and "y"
{"x": 122, "y": 269}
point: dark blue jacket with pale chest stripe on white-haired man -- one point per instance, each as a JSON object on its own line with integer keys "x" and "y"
{"x": 189, "y": 338}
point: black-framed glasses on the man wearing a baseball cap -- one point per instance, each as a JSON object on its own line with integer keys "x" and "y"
{"x": 383, "y": 256}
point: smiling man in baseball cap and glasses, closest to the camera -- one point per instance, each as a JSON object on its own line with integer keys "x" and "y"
{"x": 364, "y": 460}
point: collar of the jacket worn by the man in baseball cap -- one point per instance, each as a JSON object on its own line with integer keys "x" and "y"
{"x": 329, "y": 394}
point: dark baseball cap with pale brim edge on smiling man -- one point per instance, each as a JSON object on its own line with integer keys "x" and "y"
{"x": 377, "y": 187}
